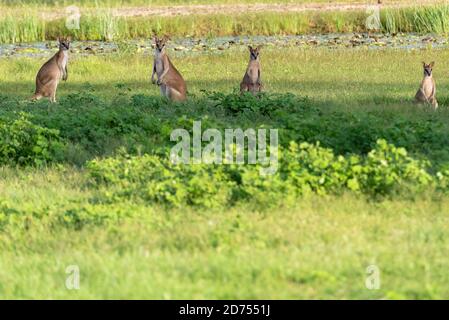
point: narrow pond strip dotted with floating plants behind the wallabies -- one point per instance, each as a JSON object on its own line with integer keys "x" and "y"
{"x": 198, "y": 45}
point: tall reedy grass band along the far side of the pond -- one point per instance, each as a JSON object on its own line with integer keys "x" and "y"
{"x": 27, "y": 25}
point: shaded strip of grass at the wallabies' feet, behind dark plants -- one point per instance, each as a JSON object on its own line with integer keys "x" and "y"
{"x": 334, "y": 93}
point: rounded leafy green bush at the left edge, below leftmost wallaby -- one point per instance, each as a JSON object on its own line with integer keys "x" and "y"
{"x": 24, "y": 143}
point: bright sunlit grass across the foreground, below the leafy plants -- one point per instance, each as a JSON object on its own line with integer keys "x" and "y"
{"x": 318, "y": 249}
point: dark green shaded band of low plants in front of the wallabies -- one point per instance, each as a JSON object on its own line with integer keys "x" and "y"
{"x": 138, "y": 123}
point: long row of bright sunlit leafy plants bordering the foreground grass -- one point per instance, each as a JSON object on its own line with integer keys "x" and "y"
{"x": 304, "y": 169}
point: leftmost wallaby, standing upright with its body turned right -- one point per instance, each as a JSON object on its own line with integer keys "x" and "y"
{"x": 52, "y": 72}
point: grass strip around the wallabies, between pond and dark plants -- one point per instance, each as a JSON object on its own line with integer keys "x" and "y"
{"x": 362, "y": 78}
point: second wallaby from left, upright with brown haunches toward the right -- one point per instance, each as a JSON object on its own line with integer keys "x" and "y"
{"x": 170, "y": 80}
